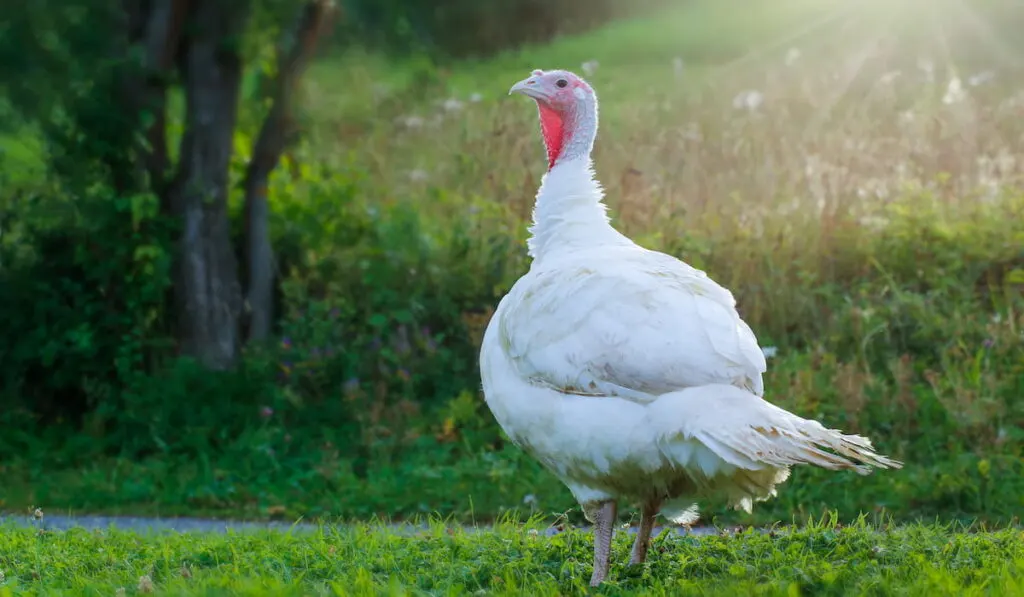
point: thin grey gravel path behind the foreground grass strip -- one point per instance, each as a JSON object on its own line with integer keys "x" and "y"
{"x": 149, "y": 526}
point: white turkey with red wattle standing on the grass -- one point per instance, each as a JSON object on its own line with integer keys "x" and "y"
{"x": 626, "y": 372}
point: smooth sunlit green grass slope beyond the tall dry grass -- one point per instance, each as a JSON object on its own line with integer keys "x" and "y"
{"x": 703, "y": 34}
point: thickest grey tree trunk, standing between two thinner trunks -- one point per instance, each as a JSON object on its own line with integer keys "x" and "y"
{"x": 207, "y": 290}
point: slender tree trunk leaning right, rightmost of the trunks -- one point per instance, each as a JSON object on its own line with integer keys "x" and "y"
{"x": 278, "y": 132}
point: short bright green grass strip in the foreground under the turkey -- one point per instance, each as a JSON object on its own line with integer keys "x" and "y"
{"x": 369, "y": 560}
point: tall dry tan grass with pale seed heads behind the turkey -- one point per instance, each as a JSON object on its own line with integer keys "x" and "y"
{"x": 777, "y": 201}
